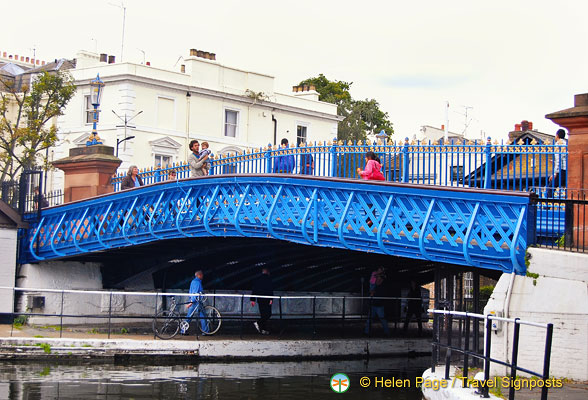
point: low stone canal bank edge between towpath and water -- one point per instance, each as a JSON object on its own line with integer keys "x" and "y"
{"x": 31, "y": 348}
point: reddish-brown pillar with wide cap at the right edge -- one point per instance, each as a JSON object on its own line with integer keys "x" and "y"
{"x": 575, "y": 120}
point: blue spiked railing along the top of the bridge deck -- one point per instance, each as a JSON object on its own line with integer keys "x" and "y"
{"x": 506, "y": 166}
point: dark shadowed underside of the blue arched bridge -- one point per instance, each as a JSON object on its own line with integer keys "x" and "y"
{"x": 231, "y": 263}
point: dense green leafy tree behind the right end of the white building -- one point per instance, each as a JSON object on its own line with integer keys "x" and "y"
{"x": 361, "y": 117}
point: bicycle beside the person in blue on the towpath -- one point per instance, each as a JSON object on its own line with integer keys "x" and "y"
{"x": 167, "y": 323}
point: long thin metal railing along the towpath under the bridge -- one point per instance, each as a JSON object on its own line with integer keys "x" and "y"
{"x": 54, "y": 305}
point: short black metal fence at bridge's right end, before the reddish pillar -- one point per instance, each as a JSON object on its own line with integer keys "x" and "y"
{"x": 562, "y": 222}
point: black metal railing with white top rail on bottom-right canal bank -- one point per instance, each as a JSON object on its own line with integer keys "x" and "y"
{"x": 490, "y": 324}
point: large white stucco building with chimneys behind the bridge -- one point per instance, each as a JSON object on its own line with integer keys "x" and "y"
{"x": 230, "y": 108}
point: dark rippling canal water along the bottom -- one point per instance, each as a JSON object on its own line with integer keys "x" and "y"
{"x": 224, "y": 381}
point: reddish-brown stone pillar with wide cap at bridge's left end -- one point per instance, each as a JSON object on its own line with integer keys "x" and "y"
{"x": 88, "y": 171}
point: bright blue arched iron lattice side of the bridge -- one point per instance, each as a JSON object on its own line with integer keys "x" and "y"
{"x": 482, "y": 228}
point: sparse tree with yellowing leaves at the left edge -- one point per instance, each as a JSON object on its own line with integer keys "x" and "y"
{"x": 25, "y": 120}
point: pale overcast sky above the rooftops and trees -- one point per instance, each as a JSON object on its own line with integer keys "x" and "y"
{"x": 507, "y": 60}
